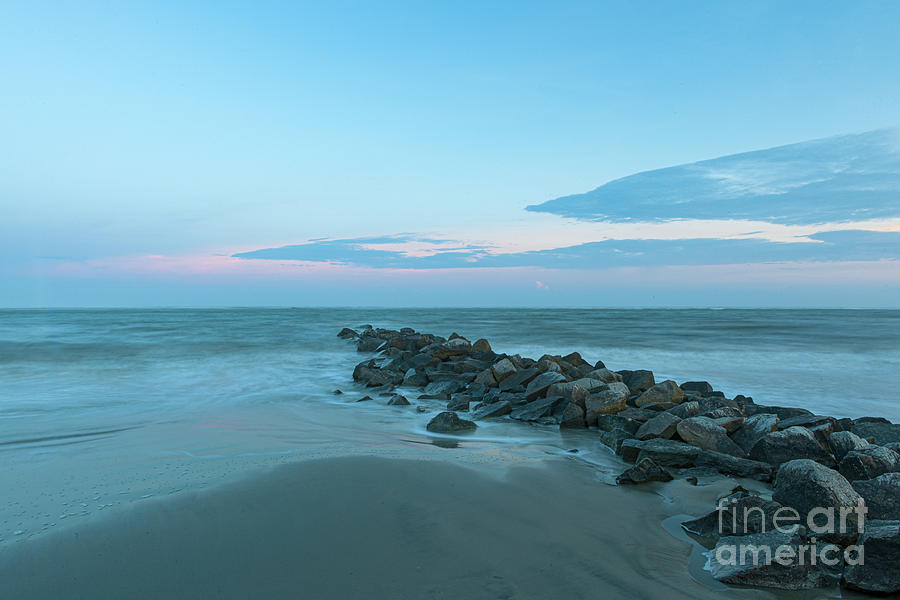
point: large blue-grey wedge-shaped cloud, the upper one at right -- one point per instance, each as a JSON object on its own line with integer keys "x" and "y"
{"x": 842, "y": 178}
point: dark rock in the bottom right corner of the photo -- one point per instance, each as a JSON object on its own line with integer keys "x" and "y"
{"x": 879, "y": 572}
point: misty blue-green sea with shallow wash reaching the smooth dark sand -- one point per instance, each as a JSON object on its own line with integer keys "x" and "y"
{"x": 103, "y": 408}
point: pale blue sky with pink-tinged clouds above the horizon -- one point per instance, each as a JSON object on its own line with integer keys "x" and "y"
{"x": 461, "y": 154}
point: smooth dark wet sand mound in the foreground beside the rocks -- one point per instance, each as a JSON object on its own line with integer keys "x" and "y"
{"x": 366, "y": 527}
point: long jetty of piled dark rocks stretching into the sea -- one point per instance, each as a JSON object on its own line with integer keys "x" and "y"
{"x": 817, "y": 465}
